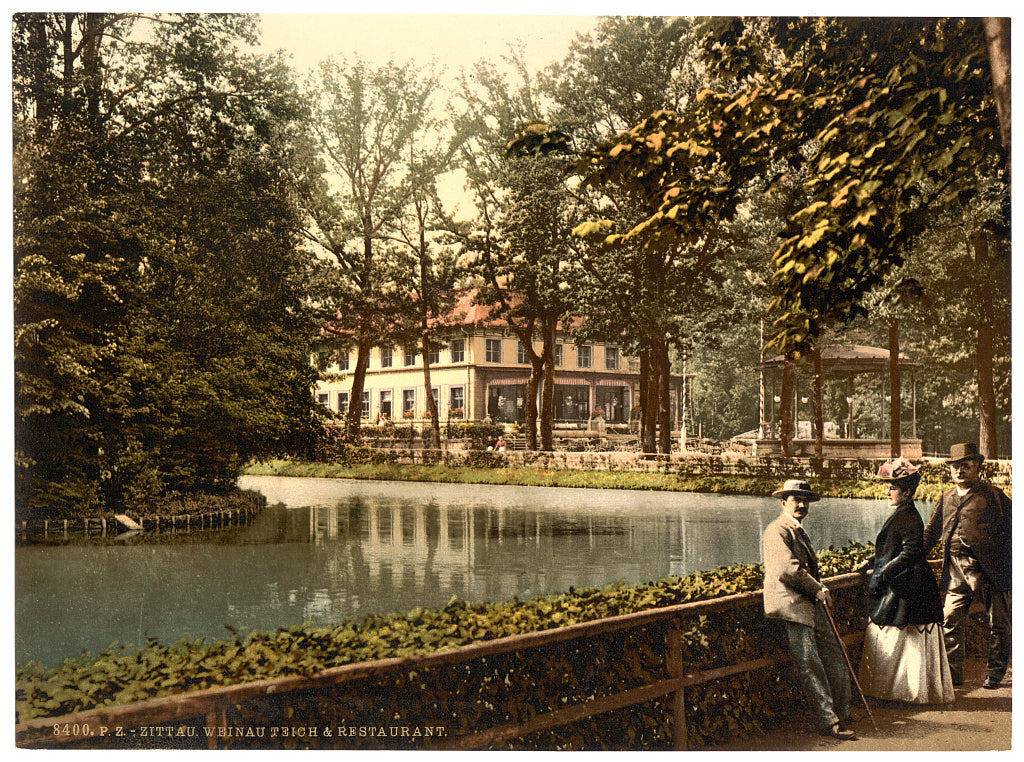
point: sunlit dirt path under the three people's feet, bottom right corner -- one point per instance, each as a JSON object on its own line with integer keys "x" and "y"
{"x": 977, "y": 721}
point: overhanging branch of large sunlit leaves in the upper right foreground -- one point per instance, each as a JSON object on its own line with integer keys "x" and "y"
{"x": 878, "y": 122}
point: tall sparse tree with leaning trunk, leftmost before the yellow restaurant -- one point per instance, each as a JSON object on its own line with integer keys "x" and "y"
{"x": 359, "y": 186}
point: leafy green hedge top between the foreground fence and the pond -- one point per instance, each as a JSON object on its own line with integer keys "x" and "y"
{"x": 120, "y": 676}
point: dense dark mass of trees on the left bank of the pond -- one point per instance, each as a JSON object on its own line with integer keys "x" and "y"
{"x": 161, "y": 337}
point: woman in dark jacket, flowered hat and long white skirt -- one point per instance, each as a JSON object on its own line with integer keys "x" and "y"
{"x": 905, "y": 658}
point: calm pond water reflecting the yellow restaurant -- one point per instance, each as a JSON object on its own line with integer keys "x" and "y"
{"x": 328, "y": 549}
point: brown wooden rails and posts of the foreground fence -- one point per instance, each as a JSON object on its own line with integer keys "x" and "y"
{"x": 212, "y": 704}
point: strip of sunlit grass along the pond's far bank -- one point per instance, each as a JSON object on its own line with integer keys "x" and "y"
{"x": 598, "y": 480}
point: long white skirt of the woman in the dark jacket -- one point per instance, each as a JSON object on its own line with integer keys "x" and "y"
{"x": 906, "y": 664}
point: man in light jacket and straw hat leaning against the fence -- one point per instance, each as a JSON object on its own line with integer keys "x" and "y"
{"x": 795, "y": 595}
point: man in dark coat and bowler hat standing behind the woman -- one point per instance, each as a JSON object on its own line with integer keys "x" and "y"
{"x": 973, "y": 522}
